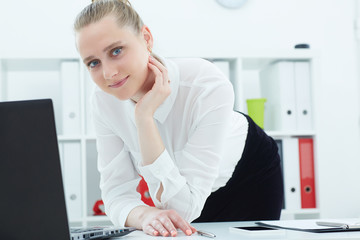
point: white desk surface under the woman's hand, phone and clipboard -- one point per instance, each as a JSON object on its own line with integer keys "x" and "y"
{"x": 222, "y": 232}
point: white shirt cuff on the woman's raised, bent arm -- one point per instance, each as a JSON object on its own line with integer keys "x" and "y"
{"x": 159, "y": 169}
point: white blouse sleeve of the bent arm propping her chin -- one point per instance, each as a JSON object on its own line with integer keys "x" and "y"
{"x": 188, "y": 179}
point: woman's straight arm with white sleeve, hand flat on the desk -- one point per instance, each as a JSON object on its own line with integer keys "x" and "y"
{"x": 118, "y": 183}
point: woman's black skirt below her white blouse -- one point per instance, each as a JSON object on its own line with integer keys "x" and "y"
{"x": 255, "y": 190}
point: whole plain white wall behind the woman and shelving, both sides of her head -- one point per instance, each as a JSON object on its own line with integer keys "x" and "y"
{"x": 41, "y": 28}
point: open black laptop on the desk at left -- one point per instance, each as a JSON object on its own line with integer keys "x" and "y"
{"x": 32, "y": 202}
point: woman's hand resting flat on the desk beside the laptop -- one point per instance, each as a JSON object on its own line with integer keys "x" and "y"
{"x": 165, "y": 223}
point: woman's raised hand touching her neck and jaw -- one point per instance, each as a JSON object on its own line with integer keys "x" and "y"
{"x": 158, "y": 93}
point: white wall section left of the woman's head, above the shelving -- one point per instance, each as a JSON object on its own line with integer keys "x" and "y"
{"x": 37, "y": 28}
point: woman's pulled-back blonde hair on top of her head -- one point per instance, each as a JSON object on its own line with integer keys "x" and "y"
{"x": 122, "y": 10}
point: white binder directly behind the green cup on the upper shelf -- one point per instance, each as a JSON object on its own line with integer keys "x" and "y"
{"x": 277, "y": 84}
